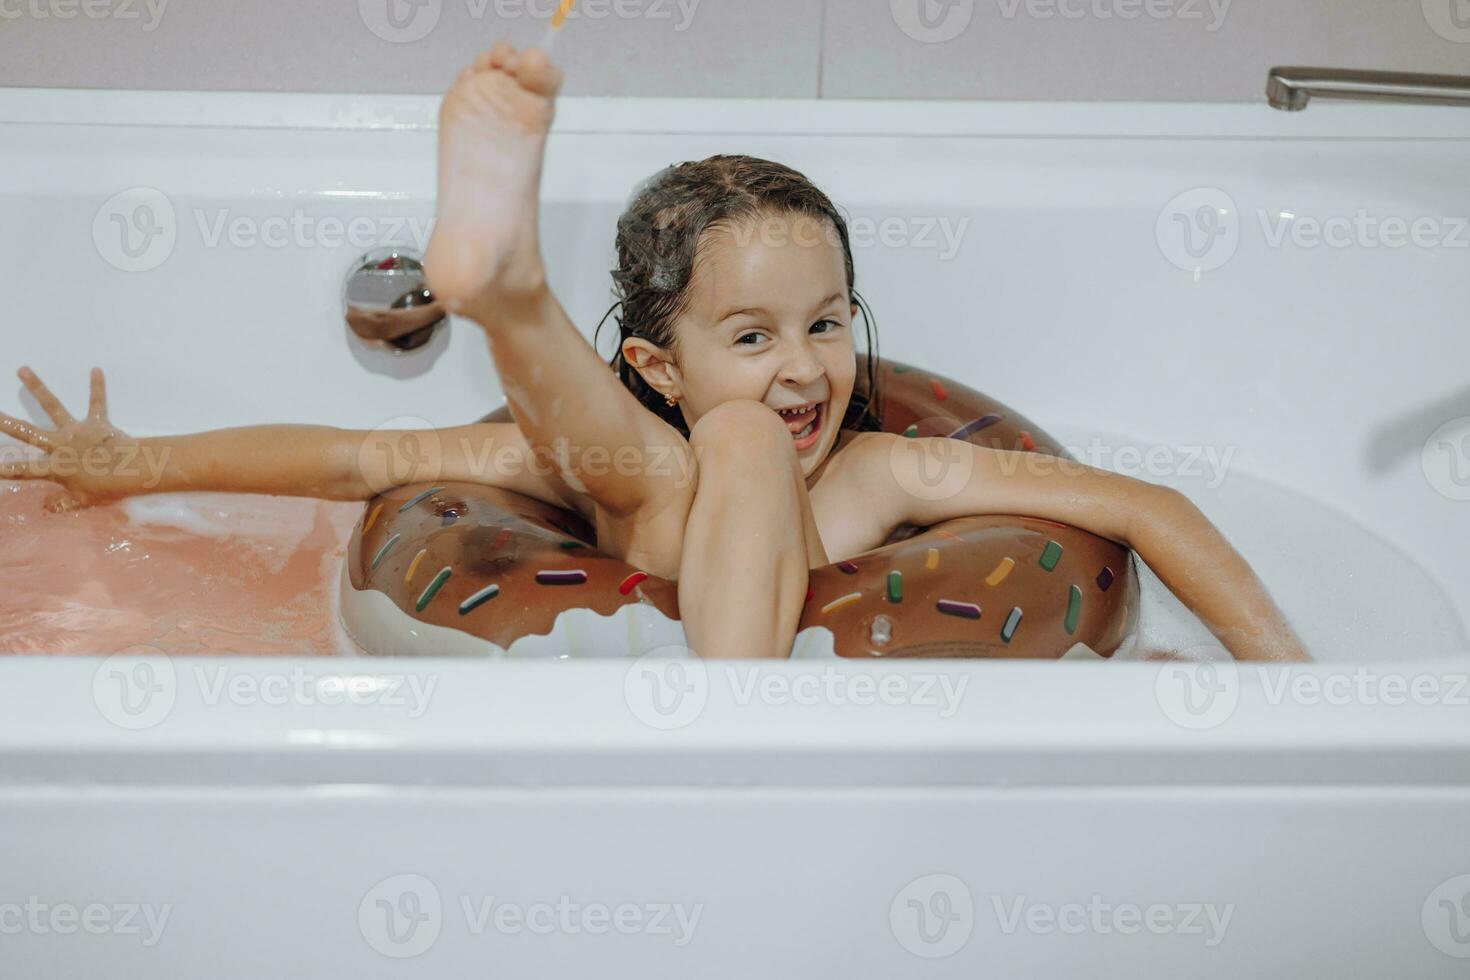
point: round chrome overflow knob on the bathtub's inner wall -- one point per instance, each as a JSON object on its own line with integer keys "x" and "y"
{"x": 387, "y": 300}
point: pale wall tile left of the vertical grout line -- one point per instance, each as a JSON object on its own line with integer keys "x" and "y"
{"x": 614, "y": 48}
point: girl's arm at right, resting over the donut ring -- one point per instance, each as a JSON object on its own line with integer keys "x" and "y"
{"x": 936, "y": 480}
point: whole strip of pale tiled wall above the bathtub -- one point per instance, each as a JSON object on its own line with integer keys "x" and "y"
{"x": 1212, "y": 51}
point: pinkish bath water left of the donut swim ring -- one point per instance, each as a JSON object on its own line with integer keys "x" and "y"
{"x": 176, "y": 574}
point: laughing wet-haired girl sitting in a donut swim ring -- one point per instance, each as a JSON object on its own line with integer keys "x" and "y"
{"x": 737, "y": 361}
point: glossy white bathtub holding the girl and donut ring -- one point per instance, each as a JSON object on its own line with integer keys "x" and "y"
{"x": 1047, "y": 821}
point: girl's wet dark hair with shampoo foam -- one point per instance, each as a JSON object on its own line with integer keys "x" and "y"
{"x": 659, "y": 239}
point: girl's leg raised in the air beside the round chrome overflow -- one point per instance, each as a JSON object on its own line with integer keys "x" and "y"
{"x": 484, "y": 262}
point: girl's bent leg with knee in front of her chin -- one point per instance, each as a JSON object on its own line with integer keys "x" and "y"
{"x": 750, "y": 538}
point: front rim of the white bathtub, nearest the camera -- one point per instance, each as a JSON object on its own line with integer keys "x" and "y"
{"x": 553, "y": 725}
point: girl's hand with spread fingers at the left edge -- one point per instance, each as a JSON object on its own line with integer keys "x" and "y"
{"x": 86, "y": 456}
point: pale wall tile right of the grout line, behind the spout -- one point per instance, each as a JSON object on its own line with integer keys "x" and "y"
{"x": 1002, "y": 49}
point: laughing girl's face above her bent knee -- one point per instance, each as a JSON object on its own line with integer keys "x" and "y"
{"x": 770, "y": 320}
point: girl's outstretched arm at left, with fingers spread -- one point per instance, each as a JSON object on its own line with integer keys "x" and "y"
{"x": 96, "y": 462}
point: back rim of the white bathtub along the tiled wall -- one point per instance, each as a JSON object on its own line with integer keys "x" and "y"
{"x": 745, "y": 117}
